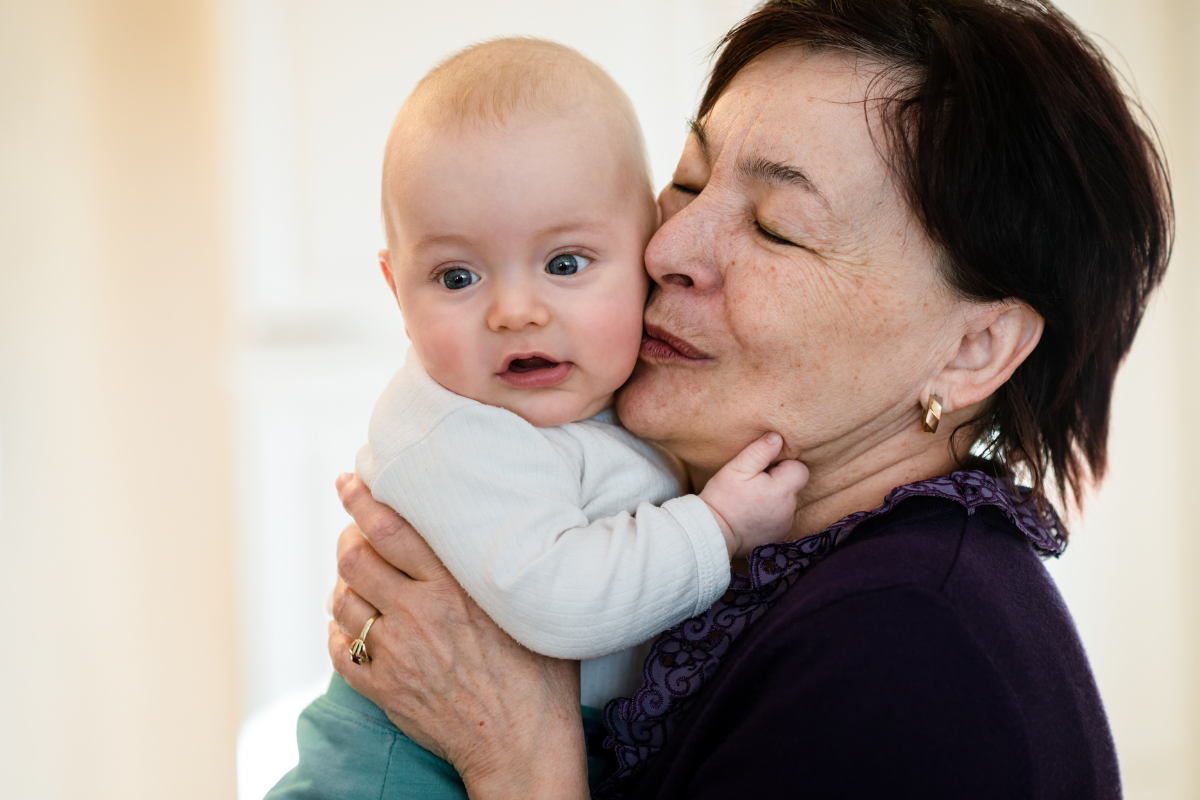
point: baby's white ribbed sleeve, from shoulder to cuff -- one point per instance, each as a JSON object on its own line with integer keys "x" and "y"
{"x": 501, "y": 506}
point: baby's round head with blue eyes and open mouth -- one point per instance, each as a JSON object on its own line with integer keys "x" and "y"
{"x": 518, "y": 204}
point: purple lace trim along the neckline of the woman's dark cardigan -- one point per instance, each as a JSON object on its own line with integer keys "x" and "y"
{"x": 686, "y": 657}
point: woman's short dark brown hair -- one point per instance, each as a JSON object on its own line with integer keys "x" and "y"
{"x": 1028, "y": 165}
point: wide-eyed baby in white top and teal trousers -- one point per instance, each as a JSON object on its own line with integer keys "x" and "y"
{"x": 518, "y": 207}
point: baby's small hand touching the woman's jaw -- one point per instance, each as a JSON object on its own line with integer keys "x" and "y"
{"x": 755, "y": 506}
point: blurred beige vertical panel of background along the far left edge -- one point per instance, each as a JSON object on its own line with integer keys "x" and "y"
{"x": 117, "y": 584}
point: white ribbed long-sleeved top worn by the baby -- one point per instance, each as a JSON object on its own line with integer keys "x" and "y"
{"x": 573, "y": 539}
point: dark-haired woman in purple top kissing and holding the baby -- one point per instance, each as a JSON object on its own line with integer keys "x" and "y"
{"x": 916, "y": 239}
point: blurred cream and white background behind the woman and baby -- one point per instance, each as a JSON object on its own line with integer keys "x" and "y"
{"x": 193, "y": 332}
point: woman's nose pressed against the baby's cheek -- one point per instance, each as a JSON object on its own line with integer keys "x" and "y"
{"x": 682, "y": 254}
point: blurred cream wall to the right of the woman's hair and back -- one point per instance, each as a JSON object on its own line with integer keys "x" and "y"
{"x": 1130, "y": 573}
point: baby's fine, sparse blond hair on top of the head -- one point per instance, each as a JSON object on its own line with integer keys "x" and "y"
{"x": 512, "y": 81}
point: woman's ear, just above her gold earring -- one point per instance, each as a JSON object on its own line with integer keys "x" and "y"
{"x": 1001, "y": 336}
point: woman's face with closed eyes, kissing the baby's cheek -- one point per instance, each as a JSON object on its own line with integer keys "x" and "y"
{"x": 795, "y": 290}
